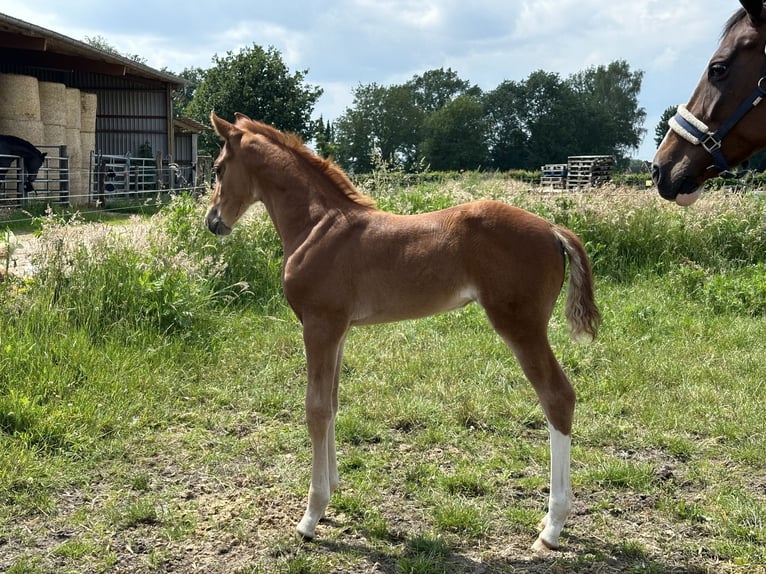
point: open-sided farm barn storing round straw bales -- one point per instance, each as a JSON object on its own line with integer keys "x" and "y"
{"x": 105, "y": 121}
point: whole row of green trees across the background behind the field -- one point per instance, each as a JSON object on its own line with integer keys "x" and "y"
{"x": 437, "y": 118}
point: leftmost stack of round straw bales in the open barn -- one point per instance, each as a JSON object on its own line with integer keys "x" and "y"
{"x": 20, "y": 108}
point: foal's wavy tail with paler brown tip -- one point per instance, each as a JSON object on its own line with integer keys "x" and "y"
{"x": 581, "y": 310}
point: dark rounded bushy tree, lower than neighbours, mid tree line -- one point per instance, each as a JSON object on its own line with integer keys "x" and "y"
{"x": 455, "y": 135}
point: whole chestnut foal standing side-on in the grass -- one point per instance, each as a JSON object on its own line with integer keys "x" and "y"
{"x": 347, "y": 263}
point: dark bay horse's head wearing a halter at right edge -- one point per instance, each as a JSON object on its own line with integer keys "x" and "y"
{"x": 723, "y": 124}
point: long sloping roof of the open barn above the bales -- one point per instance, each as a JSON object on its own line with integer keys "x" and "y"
{"x": 25, "y": 43}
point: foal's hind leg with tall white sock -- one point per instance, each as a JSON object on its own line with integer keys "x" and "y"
{"x": 557, "y": 398}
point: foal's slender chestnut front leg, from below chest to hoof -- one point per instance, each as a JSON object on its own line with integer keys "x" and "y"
{"x": 323, "y": 353}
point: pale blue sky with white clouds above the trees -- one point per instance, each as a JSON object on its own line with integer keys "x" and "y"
{"x": 342, "y": 44}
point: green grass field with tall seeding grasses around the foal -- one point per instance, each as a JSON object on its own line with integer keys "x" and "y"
{"x": 151, "y": 405}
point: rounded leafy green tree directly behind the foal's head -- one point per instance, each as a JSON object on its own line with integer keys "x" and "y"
{"x": 257, "y": 83}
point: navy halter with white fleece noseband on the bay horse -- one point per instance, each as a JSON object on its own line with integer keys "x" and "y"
{"x": 697, "y": 132}
